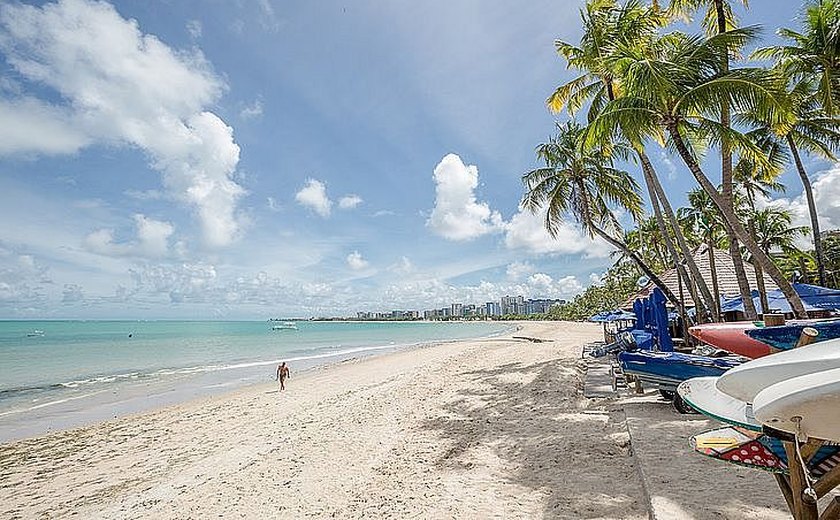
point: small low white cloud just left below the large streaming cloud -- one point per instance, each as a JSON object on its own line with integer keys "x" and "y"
{"x": 152, "y": 240}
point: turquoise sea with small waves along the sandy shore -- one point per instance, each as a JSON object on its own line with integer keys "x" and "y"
{"x": 60, "y": 374}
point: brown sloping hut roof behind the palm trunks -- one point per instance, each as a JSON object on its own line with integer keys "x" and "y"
{"x": 727, "y": 282}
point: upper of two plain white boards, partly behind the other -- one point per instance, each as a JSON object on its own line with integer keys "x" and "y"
{"x": 744, "y": 382}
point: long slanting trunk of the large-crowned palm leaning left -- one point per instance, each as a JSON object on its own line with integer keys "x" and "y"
{"x": 759, "y": 257}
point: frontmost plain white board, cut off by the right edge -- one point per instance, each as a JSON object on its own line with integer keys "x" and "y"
{"x": 813, "y": 397}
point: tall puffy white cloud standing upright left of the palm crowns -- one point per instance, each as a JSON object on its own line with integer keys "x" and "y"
{"x": 457, "y": 215}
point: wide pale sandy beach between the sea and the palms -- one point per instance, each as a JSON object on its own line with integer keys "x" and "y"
{"x": 488, "y": 428}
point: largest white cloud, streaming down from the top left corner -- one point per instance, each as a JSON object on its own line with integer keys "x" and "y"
{"x": 124, "y": 87}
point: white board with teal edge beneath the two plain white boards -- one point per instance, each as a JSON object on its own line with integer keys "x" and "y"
{"x": 702, "y": 395}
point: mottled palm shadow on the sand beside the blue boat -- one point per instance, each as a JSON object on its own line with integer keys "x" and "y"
{"x": 572, "y": 450}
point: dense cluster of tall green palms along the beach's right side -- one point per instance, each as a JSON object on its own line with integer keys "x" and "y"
{"x": 645, "y": 87}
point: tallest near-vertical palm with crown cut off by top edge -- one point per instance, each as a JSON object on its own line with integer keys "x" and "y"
{"x": 718, "y": 19}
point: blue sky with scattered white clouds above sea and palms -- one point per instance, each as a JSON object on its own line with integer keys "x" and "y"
{"x": 245, "y": 159}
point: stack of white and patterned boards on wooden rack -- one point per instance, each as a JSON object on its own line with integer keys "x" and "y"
{"x": 794, "y": 393}
